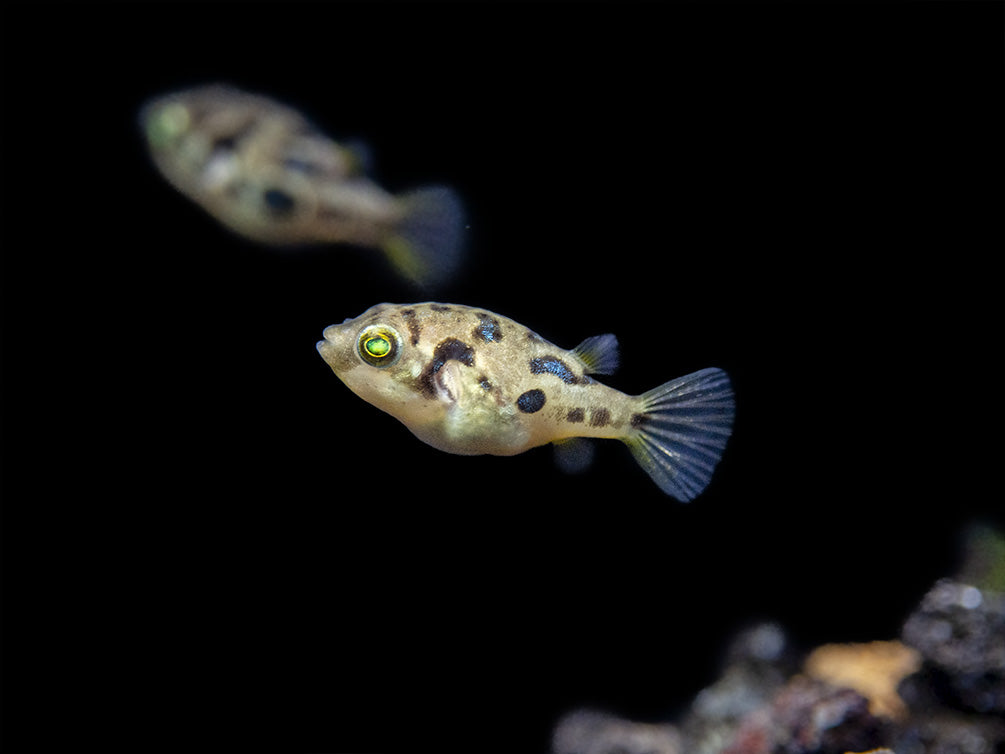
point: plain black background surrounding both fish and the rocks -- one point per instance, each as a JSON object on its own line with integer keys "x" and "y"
{"x": 211, "y": 544}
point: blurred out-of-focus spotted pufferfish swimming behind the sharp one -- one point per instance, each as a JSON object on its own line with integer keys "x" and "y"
{"x": 267, "y": 173}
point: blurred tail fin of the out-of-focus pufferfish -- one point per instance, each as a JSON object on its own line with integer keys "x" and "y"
{"x": 428, "y": 245}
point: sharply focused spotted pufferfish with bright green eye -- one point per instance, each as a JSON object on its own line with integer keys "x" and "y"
{"x": 469, "y": 382}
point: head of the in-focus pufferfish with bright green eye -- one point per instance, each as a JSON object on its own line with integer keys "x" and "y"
{"x": 374, "y": 355}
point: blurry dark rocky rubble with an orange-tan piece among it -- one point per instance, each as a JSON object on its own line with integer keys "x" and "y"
{"x": 941, "y": 690}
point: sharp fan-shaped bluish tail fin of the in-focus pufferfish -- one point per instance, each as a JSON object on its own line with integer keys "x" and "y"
{"x": 680, "y": 436}
